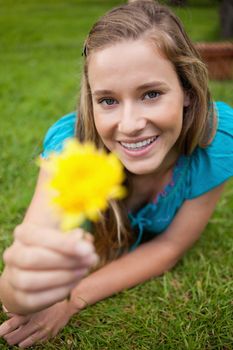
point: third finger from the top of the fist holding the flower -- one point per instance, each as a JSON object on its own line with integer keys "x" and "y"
{"x": 32, "y": 281}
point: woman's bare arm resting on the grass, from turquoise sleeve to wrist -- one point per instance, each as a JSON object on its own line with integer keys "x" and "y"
{"x": 152, "y": 258}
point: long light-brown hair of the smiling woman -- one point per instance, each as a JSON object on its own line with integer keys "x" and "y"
{"x": 148, "y": 20}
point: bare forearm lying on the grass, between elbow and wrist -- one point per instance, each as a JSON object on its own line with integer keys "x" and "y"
{"x": 149, "y": 260}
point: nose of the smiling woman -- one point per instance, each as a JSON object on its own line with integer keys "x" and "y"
{"x": 131, "y": 121}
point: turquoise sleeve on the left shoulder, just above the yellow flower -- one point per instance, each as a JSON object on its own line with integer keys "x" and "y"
{"x": 54, "y": 139}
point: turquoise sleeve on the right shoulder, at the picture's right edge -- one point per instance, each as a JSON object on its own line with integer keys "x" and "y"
{"x": 213, "y": 165}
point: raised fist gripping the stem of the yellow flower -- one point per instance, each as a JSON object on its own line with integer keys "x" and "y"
{"x": 43, "y": 266}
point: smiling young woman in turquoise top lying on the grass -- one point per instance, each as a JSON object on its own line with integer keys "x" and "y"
{"x": 145, "y": 97}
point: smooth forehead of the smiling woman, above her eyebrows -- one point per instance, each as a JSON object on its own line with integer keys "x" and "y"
{"x": 129, "y": 62}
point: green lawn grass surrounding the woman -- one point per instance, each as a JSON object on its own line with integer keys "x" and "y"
{"x": 187, "y": 308}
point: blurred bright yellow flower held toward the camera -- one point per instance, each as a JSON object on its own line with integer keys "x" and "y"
{"x": 83, "y": 180}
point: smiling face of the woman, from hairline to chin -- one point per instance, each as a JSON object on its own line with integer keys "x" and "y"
{"x": 137, "y": 103}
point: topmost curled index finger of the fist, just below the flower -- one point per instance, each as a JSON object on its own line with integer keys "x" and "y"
{"x": 69, "y": 243}
